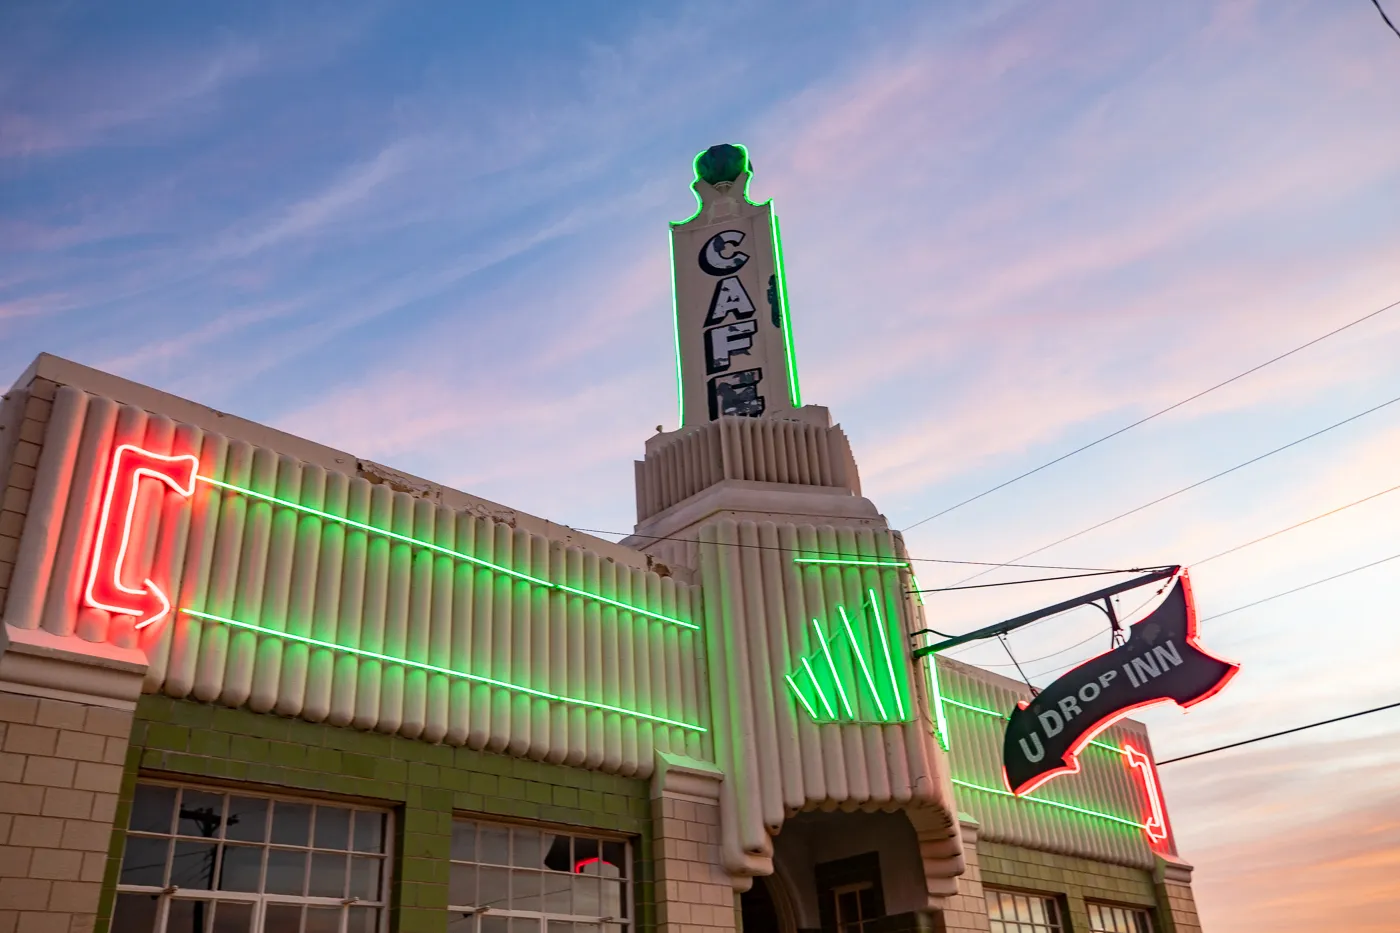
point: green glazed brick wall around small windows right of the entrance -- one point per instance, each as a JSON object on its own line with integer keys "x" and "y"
{"x": 1077, "y": 880}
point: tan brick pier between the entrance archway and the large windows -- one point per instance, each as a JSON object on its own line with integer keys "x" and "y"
{"x": 694, "y": 893}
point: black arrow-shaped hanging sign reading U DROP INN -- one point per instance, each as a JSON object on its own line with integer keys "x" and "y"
{"x": 1160, "y": 663}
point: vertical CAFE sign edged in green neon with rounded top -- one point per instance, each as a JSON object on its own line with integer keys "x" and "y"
{"x": 734, "y": 340}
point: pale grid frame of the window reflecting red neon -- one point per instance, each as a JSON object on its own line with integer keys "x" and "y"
{"x": 626, "y": 924}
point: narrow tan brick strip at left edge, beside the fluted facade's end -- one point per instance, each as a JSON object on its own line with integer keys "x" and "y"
{"x": 26, "y": 415}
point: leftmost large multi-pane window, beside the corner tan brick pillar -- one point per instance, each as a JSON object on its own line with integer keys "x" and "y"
{"x": 204, "y": 861}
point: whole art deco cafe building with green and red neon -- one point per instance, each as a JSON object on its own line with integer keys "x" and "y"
{"x": 251, "y": 684}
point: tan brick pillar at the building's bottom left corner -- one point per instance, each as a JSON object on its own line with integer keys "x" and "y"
{"x": 61, "y": 771}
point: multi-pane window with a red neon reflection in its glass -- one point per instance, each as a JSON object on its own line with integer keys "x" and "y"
{"x": 521, "y": 879}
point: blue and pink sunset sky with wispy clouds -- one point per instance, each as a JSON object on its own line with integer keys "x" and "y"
{"x": 436, "y": 236}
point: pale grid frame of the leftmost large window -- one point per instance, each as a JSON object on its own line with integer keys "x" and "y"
{"x": 261, "y": 900}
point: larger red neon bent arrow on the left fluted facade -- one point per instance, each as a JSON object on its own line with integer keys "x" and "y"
{"x": 106, "y": 589}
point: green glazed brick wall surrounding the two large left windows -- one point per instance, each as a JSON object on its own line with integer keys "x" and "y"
{"x": 425, "y": 784}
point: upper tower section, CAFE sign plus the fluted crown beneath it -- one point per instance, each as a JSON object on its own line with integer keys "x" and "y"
{"x": 747, "y": 446}
